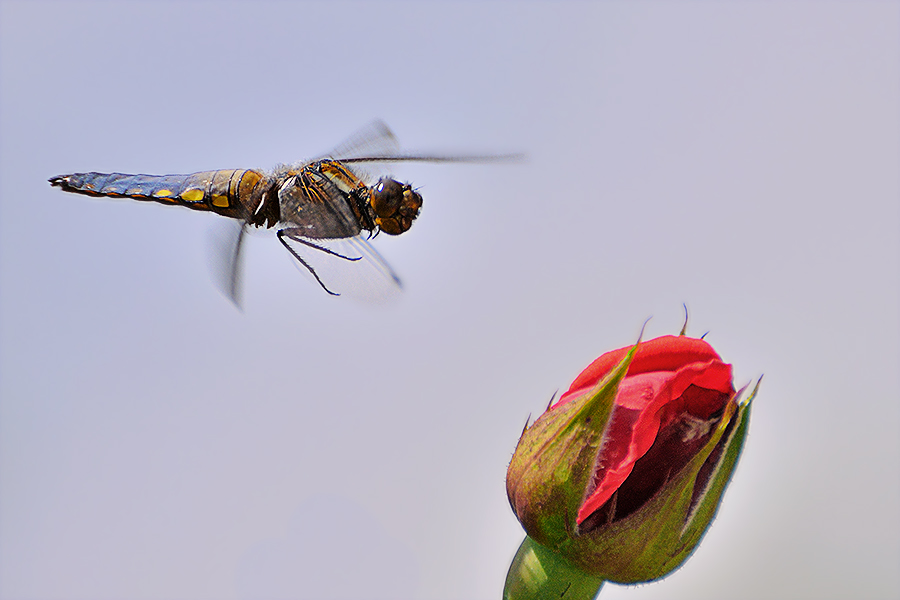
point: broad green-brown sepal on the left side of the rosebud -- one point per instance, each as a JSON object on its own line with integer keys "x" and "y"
{"x": 554, "y": 460}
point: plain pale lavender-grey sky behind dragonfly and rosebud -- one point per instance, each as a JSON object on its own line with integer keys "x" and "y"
{"x": 743, "y": 158}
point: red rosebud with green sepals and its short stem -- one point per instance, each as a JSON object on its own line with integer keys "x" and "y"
{"x": 620, "y": 478}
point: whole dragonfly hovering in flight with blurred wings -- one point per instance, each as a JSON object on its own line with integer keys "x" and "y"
{"x": 317, "y": 206}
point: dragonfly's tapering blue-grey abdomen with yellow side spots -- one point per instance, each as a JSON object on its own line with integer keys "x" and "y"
{"x": 235, "y": 193}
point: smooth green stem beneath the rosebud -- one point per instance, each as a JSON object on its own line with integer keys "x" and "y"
{"x": 537, "y": 573}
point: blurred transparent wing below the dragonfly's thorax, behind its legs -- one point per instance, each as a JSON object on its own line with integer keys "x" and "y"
{"x": 347, "y": 267}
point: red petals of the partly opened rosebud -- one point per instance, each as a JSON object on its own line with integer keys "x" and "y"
{"x": 672, "y": 382}
